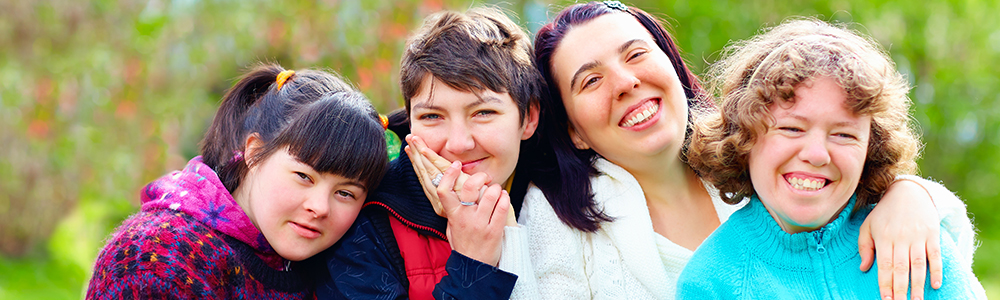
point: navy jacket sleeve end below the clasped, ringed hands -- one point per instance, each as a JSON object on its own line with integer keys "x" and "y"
{"x": 471, "y": 279}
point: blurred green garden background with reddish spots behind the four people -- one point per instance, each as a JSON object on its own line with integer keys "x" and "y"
{"x": 98, "y": 97}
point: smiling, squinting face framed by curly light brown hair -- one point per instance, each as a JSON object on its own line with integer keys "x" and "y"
{"x": 809, "y": 162}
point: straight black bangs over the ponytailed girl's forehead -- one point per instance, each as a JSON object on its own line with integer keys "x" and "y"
{"x": 339, "y": 134}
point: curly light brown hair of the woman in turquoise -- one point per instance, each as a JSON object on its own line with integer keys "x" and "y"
{"x": 754, "y": 74}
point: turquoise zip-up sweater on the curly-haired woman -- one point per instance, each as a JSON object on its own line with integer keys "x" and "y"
{"x": 750, "y": 257}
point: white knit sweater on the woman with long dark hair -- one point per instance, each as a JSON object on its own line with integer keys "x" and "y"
{"x": 626, "y": 259}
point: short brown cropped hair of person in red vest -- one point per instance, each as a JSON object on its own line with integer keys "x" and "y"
{"x": 480, "y": 49}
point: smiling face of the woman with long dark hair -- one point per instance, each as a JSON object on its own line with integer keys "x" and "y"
{"x": 621, "y": 93}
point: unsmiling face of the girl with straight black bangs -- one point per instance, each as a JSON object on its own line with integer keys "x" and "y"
{"x": 300, "y": 211}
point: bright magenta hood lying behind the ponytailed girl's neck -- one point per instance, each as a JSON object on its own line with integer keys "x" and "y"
{"x": 197, "y": 191}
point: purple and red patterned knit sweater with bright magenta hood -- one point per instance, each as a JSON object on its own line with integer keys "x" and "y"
{"x": 191, "y": 240}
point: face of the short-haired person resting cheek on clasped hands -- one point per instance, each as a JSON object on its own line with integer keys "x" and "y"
{"x": 482, "y": 131}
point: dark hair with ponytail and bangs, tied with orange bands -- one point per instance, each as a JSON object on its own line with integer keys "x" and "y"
{"x": 320, "y": 118}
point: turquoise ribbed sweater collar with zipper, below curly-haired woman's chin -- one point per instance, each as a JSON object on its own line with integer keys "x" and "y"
{"x": 768, "y": 241}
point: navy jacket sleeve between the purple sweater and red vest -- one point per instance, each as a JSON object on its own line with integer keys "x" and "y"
{"x": 360, "y": 267}
